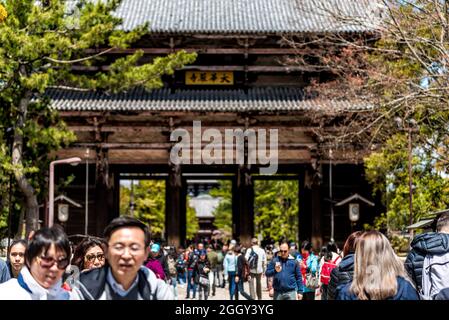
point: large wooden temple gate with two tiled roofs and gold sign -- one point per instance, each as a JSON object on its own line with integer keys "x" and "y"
{"x": 239, "y": 81}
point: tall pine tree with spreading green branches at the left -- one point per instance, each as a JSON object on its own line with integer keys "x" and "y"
{"x": 40, "y": 41}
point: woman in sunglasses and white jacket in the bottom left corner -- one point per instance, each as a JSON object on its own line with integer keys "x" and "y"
{"x": 46, "y": 258}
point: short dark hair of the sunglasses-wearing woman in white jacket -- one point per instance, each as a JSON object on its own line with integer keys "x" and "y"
{"x": 42, "y": 241}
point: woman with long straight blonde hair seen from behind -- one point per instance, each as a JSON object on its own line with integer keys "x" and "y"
{"x": 378, "y": 273}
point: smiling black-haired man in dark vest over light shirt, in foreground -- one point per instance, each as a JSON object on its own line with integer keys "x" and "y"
{"x": 125, "y": 278}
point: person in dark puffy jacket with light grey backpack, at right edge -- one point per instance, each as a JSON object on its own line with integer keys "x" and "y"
{"x": 427, "y": 263}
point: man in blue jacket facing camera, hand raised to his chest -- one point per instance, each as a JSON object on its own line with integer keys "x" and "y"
{"x": 286, "y": 273}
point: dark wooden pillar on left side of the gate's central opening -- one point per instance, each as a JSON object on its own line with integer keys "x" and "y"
{"x": 175, "y": 219}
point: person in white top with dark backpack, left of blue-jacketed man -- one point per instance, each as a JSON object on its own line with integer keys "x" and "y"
{"x": 257, "y": 260}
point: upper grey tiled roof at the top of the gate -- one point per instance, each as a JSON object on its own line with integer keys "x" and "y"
{"x": 251, "y": 16}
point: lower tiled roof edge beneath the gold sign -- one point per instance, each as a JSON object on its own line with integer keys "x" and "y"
{"x": 257, "y": 99}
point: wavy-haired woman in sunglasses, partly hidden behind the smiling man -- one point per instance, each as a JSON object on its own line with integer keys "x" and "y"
{"x": 89, "y": 254}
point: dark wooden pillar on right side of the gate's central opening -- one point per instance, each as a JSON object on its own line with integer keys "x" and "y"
{"x": 244, "y": 218}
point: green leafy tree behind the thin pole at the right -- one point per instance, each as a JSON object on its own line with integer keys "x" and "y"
{"x": 387, "y": 171}
